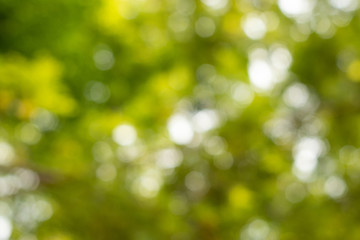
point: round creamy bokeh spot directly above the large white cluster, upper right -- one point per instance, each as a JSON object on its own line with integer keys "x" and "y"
{"x": 254, "y": 27}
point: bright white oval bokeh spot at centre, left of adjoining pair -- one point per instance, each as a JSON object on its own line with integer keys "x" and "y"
{"x": 180, "y": 129}
